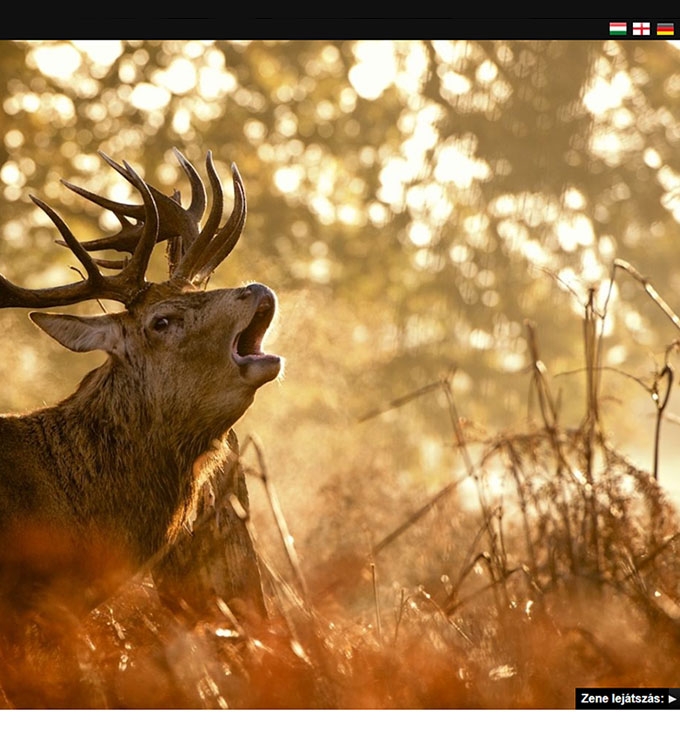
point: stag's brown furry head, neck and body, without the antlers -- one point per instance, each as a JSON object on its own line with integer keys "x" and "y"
{"x": 91, "y": 488}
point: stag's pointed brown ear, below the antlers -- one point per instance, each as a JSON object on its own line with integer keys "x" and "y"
{"x": 82, "y": 334}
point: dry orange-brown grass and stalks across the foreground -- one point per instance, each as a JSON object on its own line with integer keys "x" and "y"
{"x": 568, "y": 576}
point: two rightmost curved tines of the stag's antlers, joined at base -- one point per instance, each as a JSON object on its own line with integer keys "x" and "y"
{"x": 213, "y": 246}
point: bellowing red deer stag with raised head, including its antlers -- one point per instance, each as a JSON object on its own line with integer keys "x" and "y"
{"x": 93, "y": 487}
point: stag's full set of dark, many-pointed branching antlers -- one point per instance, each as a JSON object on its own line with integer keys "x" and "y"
{"x": 158, "y": 218}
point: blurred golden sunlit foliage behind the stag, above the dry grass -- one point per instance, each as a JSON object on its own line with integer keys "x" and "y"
{"x": 413, "y": 204}
